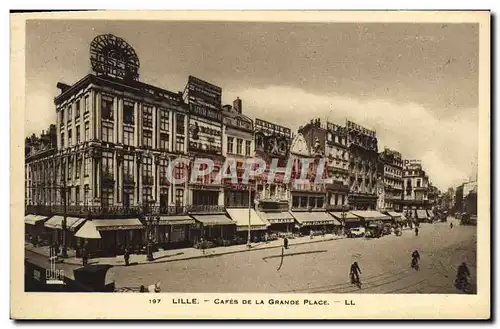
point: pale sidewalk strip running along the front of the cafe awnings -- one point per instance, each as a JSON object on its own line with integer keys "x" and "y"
{"x": 186, "y": 253}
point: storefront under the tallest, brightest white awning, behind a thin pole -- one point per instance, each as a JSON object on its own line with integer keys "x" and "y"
{"x": 246, "y": 218}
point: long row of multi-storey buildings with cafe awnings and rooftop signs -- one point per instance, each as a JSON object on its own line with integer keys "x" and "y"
{"x": 127, "y": 162}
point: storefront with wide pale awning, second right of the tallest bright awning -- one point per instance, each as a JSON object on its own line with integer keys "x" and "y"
{"x": 315, "y": 222}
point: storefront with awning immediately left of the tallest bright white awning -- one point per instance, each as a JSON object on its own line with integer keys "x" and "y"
{"x": 215, "y": 227}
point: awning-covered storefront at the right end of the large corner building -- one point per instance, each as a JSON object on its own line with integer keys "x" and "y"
{"x": 174, "y": 231}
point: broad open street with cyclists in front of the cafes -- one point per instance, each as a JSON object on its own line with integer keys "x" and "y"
{"x": 322, "y": 267}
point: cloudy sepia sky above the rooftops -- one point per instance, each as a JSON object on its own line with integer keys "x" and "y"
{"x": 415, "y": 84}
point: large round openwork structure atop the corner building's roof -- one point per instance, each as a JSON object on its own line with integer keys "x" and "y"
{"x": 112, "y": 56}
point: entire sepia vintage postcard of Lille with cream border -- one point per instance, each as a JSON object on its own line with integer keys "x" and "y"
{"x": 250, "y": 165}
